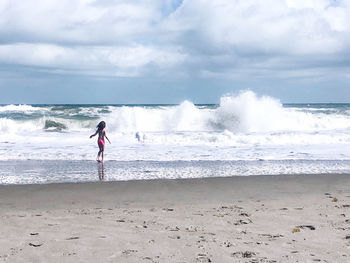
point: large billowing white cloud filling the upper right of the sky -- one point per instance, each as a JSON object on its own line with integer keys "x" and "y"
{"x": 271, "y": 36}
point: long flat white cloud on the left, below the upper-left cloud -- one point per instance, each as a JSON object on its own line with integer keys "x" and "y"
{"x": 100, "y": 60}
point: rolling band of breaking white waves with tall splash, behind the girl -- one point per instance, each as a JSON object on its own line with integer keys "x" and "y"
{"x": 243, "y": 113}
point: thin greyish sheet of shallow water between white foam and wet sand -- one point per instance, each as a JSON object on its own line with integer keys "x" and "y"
{"x": 60, "y": 171}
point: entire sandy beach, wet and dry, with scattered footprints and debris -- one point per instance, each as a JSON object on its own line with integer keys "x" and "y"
{"x": 301, "y": 218}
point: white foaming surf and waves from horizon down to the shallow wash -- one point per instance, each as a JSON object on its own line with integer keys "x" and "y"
{"x": 242, "y": 127}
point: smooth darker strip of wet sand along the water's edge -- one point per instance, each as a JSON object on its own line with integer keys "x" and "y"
{"x": 242, "y": 186}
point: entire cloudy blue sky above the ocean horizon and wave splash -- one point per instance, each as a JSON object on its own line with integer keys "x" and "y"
{"x": 166, "y": 51}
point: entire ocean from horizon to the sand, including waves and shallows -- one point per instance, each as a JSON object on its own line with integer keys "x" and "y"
{"x": 240, "y": 136}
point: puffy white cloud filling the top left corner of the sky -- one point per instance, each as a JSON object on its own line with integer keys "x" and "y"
{"x": 75, "y": 21}
